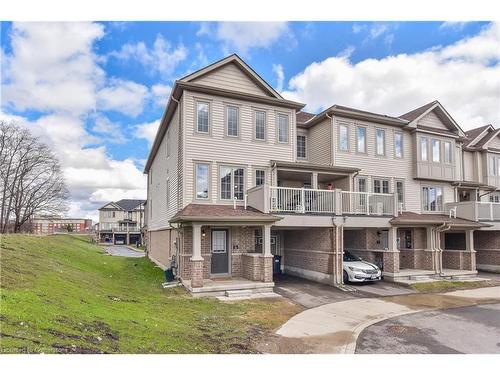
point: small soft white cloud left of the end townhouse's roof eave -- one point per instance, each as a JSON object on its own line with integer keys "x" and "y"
{"x": 123, "y": 96}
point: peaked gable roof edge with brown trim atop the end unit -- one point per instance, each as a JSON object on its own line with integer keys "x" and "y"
{"x": 243, "y": 66}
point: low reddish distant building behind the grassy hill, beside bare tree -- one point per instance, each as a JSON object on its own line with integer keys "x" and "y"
{"x": 46, "y": 225}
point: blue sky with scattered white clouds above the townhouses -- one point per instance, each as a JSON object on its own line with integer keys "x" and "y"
{"x": 97, "y": 90}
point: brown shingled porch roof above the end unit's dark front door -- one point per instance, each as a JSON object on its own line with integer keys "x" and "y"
{"x": 220, "y": 212}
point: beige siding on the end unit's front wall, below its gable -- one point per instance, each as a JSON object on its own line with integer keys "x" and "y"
{"x": 217, "y": 149}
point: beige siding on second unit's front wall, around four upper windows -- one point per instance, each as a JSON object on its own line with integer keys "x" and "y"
{"x": 373, "y": 166}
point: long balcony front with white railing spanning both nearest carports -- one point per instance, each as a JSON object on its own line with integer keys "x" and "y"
{"x": 317, "y": 201}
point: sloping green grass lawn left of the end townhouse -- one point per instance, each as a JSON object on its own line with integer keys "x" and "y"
{"x": 62, "y": 294}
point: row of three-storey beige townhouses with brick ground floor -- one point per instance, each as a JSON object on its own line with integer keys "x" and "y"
{"x": 238, "y": 175}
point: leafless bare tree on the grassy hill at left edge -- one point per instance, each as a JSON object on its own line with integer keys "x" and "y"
{"x": 31, "y": 180}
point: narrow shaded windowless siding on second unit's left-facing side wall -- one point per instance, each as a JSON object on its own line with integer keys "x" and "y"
{"x": 319, "y": 139}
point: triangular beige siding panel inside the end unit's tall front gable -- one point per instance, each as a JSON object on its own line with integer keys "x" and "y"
{"x": 230, "y": 77}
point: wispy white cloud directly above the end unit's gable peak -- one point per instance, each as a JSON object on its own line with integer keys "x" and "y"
{"x": 242, "y": 36}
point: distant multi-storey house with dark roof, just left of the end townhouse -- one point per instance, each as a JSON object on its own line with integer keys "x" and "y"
{"x": 120, "y": 222}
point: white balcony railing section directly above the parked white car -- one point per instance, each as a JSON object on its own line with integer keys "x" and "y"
{"x": 360, "y": 203}
